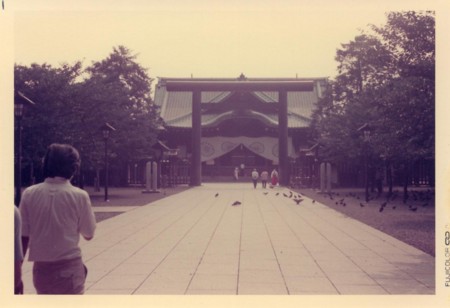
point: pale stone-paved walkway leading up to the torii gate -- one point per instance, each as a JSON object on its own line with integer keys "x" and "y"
{"x": 196, "y": 243}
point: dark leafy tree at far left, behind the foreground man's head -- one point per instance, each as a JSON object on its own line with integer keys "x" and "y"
{"x": 52, "y": 90}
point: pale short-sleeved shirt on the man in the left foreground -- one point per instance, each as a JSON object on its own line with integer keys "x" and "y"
{"x": 54, "y": 214}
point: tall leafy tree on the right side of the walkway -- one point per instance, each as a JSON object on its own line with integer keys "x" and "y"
{"x": 385, "y": 79}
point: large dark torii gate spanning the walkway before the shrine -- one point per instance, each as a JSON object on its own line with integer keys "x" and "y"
{"x": 196, "y": 87}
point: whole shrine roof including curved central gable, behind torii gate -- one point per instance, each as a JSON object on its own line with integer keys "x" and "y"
{"x": 176, "y": 106}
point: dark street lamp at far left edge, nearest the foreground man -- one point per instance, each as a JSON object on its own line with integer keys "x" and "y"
{"x": 19, "y": 101}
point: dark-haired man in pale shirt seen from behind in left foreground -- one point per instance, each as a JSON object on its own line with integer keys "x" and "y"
{"x": 54, "y": 215}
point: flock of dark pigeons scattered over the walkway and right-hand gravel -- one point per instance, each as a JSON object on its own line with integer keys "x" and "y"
{"x": 424, "y": 197}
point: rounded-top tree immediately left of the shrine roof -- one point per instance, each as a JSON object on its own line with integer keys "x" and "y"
{"x": 118, "y": 91}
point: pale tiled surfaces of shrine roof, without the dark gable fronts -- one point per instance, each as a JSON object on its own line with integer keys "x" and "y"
{"x": 176, "y": 107}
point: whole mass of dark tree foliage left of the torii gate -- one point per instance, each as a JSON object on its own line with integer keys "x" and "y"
{"x": 73, "y": 103}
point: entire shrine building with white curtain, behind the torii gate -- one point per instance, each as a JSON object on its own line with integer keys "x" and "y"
{"x": 218, "y": 124}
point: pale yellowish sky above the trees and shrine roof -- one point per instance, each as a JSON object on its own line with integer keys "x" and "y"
{"x": 202, "y": 38}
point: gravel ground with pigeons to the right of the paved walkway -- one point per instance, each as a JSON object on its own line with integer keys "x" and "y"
{"x": 412, "y": 222}
